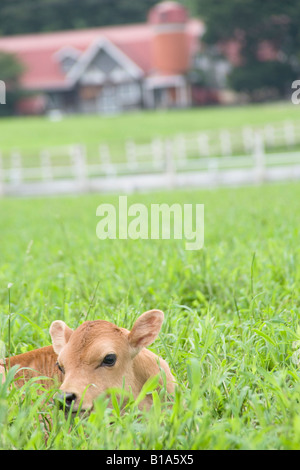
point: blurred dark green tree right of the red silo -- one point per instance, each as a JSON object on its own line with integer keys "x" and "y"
{"x": 250, "y": 23}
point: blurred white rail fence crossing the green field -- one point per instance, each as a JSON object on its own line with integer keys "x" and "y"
{"x": 246, "y": 156}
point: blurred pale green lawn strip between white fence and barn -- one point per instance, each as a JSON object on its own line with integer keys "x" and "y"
{"x": 32, "y": 134}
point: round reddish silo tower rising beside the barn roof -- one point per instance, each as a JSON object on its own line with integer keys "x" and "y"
{"x": 169, "y": 44}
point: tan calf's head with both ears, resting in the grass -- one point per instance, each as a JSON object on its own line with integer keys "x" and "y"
{"x": 99, "y": 355}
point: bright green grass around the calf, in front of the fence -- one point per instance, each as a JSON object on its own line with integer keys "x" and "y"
{"x": 231, "y": 317}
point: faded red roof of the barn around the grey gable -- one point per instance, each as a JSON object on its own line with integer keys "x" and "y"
{"x": 38, "y": 52}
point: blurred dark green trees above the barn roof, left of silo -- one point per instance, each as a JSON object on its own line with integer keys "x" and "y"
{"x": 33, "y": 16}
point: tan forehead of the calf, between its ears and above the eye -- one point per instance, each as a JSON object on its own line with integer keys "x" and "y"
{"x": 93, "y": 338}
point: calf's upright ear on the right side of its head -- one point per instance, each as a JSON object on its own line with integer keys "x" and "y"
{"x": 145, "y": 330}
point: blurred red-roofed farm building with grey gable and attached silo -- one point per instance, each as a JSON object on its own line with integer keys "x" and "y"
{"x": 110, "y": 69}
